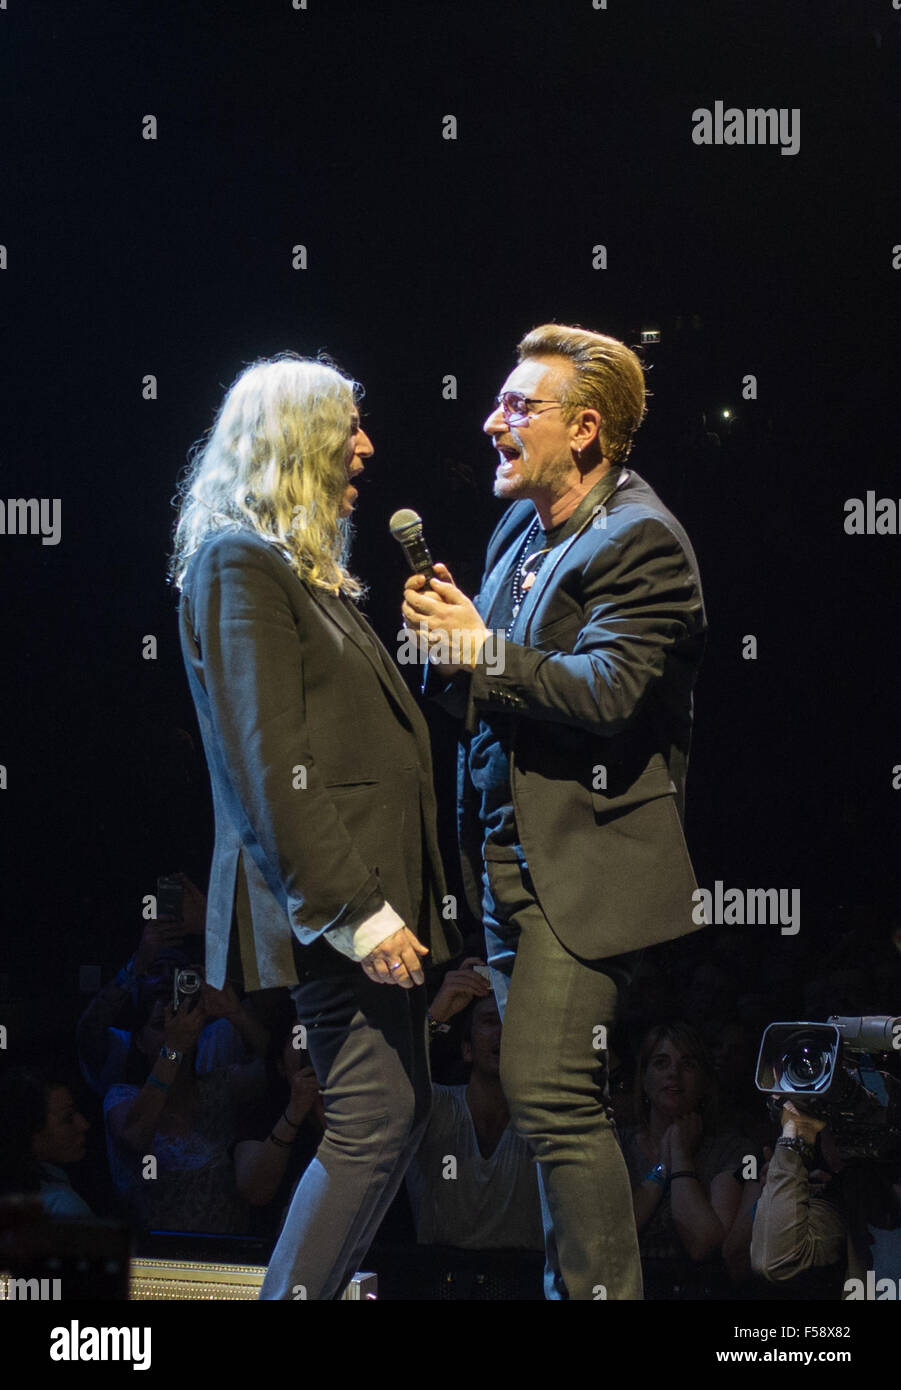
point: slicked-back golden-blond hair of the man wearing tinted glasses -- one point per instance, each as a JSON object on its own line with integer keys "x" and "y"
{"x": 607, "y": 377}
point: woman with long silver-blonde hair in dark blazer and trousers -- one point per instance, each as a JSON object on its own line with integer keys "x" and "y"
{"x": 326, "y": 871}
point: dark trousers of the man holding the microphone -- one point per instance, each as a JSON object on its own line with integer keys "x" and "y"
{"x": 555, "y": 1081}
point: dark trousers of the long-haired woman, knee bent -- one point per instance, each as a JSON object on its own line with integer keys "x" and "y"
{"x": 368, "y": 1046}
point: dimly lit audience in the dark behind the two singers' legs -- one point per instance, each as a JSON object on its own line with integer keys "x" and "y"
{"x": 219, "y": 1150}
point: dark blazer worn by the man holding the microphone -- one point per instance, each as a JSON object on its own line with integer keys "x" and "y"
{"x": 600, "y": 673}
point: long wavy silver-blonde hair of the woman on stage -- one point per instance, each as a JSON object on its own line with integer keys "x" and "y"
{"x": 276, "y": 462}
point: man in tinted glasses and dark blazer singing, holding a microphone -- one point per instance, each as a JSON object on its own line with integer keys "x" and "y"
{"x": 572, "y": 765}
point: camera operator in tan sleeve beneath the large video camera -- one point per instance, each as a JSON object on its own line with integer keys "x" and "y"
{"x": 850, "y": 1223}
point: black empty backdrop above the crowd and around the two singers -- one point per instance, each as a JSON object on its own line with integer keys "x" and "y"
{"x": 432, "y": 258}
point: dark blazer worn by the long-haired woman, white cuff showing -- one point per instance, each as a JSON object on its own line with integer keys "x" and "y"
{"x": 319, "y": 760}
